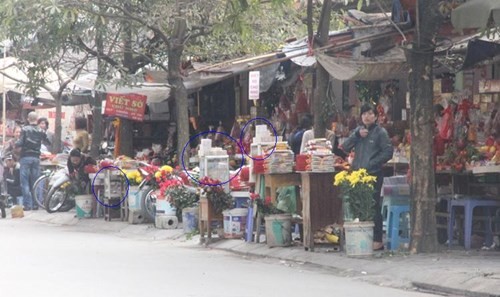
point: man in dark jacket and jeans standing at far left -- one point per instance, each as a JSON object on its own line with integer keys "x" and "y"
{"x": 30, "y": 143}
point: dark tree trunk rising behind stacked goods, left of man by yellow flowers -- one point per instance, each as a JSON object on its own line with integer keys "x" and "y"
{"x": 322, "y": 76}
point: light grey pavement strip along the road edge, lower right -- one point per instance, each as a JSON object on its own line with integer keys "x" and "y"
{"x": 406, "y": 272}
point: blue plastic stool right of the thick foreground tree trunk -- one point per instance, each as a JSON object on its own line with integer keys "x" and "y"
{"x": 469, "y": 205}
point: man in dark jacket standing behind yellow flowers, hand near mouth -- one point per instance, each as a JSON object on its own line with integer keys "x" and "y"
{"x": 373, "y": 148}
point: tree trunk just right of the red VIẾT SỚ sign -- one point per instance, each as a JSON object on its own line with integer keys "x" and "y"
{"x": 175, "y": 49}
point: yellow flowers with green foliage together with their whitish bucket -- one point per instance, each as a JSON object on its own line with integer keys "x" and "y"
{"x": 357, "y": 188}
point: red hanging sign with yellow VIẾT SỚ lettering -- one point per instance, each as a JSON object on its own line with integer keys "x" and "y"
{"x": 129, "y": 106}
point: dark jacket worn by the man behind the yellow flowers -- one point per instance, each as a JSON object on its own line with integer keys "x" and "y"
{"x": 371, "y": 152}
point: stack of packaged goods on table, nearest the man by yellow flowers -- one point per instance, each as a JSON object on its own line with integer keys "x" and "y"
{"x": 317, "y": 157}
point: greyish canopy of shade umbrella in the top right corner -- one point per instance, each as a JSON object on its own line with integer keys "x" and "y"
{"x": 476, "y": 14}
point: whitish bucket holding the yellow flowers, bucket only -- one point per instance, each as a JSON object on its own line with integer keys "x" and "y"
{"x": 358, "y": 238}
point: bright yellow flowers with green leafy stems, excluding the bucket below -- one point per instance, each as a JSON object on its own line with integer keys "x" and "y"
{"x": 357, "y": 190}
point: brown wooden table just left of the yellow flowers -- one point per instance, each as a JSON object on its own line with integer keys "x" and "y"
{"x": 321, "y": 204}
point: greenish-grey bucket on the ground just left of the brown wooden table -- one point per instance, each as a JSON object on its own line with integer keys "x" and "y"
{"x": 278, "y": 230}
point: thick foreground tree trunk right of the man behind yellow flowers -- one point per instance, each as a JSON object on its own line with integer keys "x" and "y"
{"x": 420, "y": 58}
